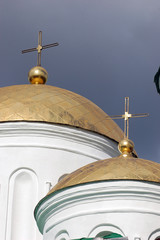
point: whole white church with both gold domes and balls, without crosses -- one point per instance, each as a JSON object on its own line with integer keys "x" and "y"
{"x": 53, "y": 144}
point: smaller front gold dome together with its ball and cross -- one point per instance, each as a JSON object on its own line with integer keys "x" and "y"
{"x": 124, "y": 167}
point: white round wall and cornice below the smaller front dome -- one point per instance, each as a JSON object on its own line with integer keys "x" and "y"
{"x": 129, "y": 208}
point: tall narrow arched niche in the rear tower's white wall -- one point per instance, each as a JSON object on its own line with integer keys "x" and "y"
{"x": 23, "y": 196}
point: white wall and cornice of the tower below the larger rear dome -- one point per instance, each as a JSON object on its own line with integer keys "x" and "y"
{"x": 39, "y": 154}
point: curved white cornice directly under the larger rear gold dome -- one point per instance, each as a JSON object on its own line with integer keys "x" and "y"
{"x": 60, "y": 137}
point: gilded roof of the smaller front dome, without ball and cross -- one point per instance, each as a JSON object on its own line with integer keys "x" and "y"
{"x": 119, "y": 168}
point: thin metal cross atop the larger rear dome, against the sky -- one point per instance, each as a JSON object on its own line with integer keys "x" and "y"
{"x": 39, "y": 48}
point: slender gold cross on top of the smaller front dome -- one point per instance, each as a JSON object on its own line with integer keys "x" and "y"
{"x": 126, "y": 116}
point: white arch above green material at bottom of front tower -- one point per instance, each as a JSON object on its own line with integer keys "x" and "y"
{"x": 104, "y": 228}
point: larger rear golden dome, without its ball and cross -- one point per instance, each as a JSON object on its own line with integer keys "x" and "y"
{"x": 42, "y": 103}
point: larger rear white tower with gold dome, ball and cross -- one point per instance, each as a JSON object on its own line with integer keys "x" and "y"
{"x": 45, "y": 134}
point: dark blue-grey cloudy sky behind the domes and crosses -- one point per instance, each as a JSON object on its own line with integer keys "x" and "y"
{"x": 108, "y": 49}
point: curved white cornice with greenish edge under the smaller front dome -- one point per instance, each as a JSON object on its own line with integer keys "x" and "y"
{"x": 88, "y": 195}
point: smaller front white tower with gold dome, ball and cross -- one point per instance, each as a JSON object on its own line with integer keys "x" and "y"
{"x": 115, "y": 198}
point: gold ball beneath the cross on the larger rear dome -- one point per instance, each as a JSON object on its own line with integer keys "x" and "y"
{"x": 37, "y": 75}
